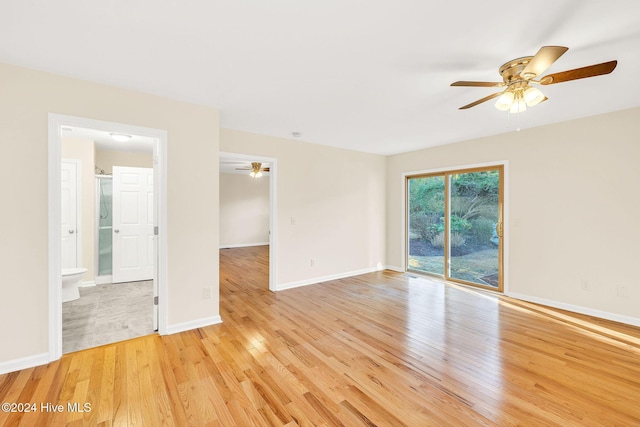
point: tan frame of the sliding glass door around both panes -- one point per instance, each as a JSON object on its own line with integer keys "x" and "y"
{"x": 502, "y": 167}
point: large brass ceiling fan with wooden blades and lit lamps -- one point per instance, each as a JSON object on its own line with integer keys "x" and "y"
{"x": 518, "y": 75}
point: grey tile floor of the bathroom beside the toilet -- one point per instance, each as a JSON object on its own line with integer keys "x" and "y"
{"x": 107, "y": 313}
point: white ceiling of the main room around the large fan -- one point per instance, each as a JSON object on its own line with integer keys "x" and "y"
{"x": 366, "y": 75}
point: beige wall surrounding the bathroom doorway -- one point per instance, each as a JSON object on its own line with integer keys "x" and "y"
{"x": 28, "y": 97}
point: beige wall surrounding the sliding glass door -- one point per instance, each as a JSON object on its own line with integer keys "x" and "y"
{"x": 572, "y": 208}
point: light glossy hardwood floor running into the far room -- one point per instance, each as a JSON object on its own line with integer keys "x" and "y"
{"x": 378, "y": 349}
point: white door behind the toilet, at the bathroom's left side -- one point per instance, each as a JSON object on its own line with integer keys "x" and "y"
{"x": 69, "y": 213}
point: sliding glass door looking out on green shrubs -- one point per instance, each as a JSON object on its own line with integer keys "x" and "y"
{"x": 454, "y": 225}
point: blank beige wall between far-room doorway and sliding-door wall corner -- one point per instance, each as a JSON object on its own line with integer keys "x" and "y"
{"x": 330, "y": 206}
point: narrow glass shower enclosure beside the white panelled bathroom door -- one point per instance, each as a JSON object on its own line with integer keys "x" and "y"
{"x": 104, "y": 221}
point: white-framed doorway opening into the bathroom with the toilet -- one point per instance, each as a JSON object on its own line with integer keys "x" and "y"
{"x": 100, "y": 165}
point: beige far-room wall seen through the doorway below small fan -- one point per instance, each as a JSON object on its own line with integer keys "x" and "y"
{"x": 244, "y": 210}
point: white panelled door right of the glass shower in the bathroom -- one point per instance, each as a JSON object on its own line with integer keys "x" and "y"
{"x": 133, "y": 222}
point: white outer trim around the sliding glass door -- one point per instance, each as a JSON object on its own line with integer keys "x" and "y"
{"x": 505, "y": 212}
